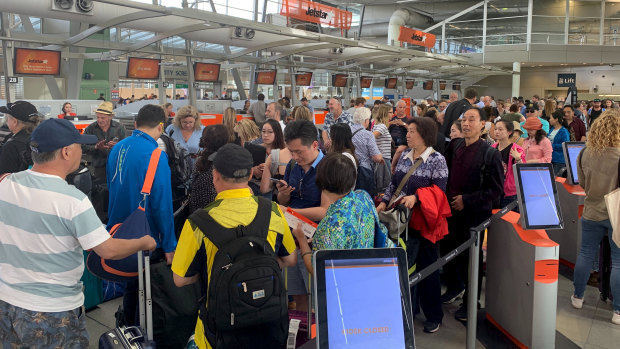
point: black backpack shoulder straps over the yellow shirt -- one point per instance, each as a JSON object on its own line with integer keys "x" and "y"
{"x": 220, "y": 236}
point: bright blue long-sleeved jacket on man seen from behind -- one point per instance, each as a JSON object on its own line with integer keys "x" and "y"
{"x": 126, "y": 170}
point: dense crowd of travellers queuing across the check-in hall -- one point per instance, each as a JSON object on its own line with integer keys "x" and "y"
{"x": 447, "y": 159}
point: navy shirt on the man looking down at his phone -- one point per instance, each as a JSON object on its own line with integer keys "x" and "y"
{"x": 306, "y": 193}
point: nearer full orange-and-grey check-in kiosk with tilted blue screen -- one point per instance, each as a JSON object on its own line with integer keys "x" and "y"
{"x": 522, "y": 262}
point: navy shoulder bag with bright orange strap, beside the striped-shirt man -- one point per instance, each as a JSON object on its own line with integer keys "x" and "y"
{"x": 134, "y": 226}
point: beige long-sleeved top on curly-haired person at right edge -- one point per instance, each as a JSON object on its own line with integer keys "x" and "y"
{"x": 598, "y": 175}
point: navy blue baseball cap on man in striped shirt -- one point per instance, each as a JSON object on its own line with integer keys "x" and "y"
{"x": 54, "y": 134}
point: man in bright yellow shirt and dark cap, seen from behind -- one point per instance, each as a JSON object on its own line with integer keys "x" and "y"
{"x": 234, "y": 206}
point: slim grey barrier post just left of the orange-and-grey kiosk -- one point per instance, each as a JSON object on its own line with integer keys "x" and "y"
{"x": 472, "y": 296}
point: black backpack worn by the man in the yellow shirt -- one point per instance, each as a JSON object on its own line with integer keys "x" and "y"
{"x": 245, "y": 305}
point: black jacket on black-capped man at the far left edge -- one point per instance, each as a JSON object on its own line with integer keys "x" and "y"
{"x": 15, "y": 153}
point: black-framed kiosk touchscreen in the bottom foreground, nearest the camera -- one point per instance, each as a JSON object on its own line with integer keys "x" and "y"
{"x": 362, "y": 299}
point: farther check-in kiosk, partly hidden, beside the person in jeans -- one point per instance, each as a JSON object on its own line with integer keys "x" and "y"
{"x": 571, "y": 196}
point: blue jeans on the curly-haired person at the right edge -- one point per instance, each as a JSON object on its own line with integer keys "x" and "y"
{"x": 592, "y": 233}
